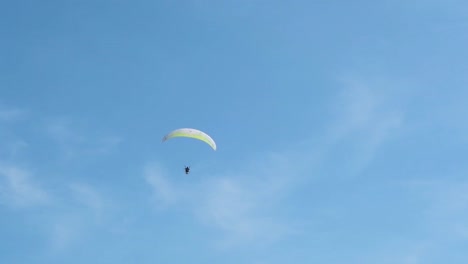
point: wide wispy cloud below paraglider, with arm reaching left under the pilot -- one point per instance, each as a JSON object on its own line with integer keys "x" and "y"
{"x": 242, "y": 204}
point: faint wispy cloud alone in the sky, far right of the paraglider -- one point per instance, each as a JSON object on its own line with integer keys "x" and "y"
{"x": 365, "y": 118}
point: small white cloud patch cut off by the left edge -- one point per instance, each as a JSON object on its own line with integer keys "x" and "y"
{"x": 19, "y": 190}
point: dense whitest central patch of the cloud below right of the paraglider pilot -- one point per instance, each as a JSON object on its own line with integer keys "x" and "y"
{"x": 245, "y": 211}
